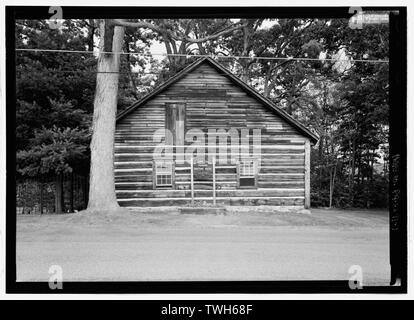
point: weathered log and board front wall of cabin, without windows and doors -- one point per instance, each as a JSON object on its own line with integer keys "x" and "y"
{"x": 212, "y": 102}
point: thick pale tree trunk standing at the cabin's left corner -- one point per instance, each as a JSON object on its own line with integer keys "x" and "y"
{"x": 102, "y": 185}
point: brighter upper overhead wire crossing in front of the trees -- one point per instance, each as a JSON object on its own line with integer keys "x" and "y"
{"x": 200, "y": 56}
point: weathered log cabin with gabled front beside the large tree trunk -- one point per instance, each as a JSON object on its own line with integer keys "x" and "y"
{"x": 205, "y": 137}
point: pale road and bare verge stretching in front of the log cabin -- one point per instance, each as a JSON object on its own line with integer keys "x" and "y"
{"x": 187, "y": 248}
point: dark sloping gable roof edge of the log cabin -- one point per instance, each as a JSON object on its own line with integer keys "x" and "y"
{"x": 248, "y": 89}
